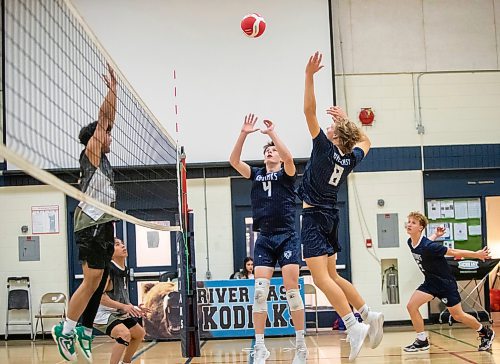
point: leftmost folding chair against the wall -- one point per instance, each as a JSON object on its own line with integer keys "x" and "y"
{"x": 18, "y": 298}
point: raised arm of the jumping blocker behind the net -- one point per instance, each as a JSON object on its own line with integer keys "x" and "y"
{"x": 105, "y": 121}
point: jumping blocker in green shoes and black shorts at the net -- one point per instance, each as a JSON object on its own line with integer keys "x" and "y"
{"x": 94, "y": 230}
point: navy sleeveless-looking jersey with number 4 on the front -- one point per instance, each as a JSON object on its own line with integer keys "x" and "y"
{"x": 273, "y": 200}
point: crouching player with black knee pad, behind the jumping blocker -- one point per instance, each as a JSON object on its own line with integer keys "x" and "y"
{"x": 116, "y": 316}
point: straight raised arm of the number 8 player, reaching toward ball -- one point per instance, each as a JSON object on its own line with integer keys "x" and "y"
{"x": 313, "y": 66}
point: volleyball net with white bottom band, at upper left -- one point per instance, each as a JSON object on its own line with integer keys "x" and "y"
{"x": 55, "y": 82}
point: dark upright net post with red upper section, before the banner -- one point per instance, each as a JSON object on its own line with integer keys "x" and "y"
{"x": 186, "y": 265}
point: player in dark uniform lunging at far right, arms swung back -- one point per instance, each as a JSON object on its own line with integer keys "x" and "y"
{"x": 439, "y": 282}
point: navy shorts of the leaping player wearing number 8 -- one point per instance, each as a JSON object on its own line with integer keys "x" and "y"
{"x": 319, "y": 233}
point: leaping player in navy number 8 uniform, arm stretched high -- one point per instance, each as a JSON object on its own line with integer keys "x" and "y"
{"x": 333, "y": 157}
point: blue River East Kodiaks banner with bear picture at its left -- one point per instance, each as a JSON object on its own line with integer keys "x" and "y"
{"x": 224, "y": 309}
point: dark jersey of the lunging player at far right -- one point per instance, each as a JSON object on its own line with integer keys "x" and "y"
{"x": 431, "y": 261}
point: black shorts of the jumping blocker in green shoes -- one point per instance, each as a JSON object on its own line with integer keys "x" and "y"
{"x": 96, "y": 245}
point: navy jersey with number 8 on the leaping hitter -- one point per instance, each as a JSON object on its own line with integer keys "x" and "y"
{"x": 326, "y": 171}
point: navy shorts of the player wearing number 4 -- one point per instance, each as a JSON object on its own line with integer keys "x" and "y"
{"x": 283, "y": 248}
